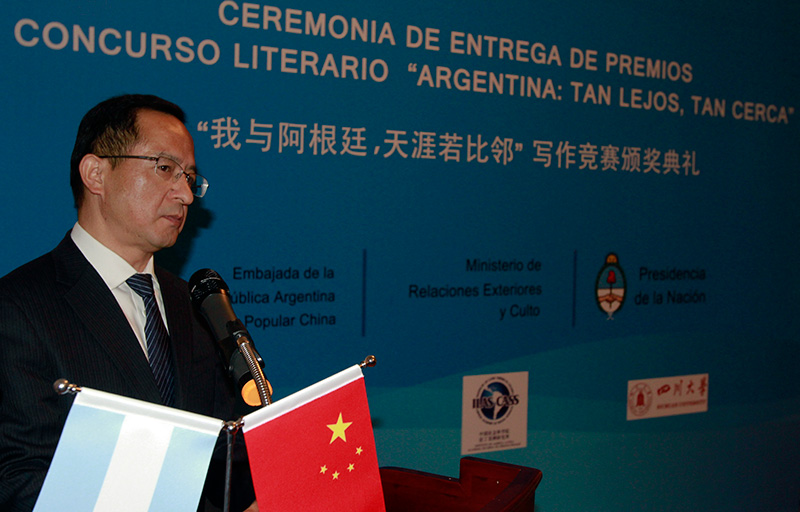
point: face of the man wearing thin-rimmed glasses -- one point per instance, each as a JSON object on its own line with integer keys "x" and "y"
{"x": 142, "y": 211}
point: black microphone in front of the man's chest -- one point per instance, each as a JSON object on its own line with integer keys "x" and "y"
{"x": 210, "y": 296}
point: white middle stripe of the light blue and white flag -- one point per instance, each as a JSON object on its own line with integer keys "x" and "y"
{"x": 130, "y": 463}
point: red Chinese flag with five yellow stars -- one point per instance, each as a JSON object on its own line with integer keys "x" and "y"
{"x": 314, "y": 450}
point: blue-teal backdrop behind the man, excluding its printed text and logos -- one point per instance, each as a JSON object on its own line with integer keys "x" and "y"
{"x": 383, "y": 224}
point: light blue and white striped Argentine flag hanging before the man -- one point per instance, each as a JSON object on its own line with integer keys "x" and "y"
{"x": 121, "y": 454}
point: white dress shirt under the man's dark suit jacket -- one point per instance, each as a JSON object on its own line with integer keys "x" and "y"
{"x": 115, "y": 271}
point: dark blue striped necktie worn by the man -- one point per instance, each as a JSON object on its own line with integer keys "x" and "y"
{"x": 156, "y": 336}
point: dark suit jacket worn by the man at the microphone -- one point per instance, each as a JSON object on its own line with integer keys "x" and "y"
{"x": 59, "y": 319}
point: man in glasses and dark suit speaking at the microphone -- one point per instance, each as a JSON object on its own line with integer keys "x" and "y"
{"x": 74, "y": 314}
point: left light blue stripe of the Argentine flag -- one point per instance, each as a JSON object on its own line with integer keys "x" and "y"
{"x": 79, "y": 466}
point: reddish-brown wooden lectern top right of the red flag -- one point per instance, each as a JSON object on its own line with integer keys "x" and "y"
{"x": 483, "y": 486}
